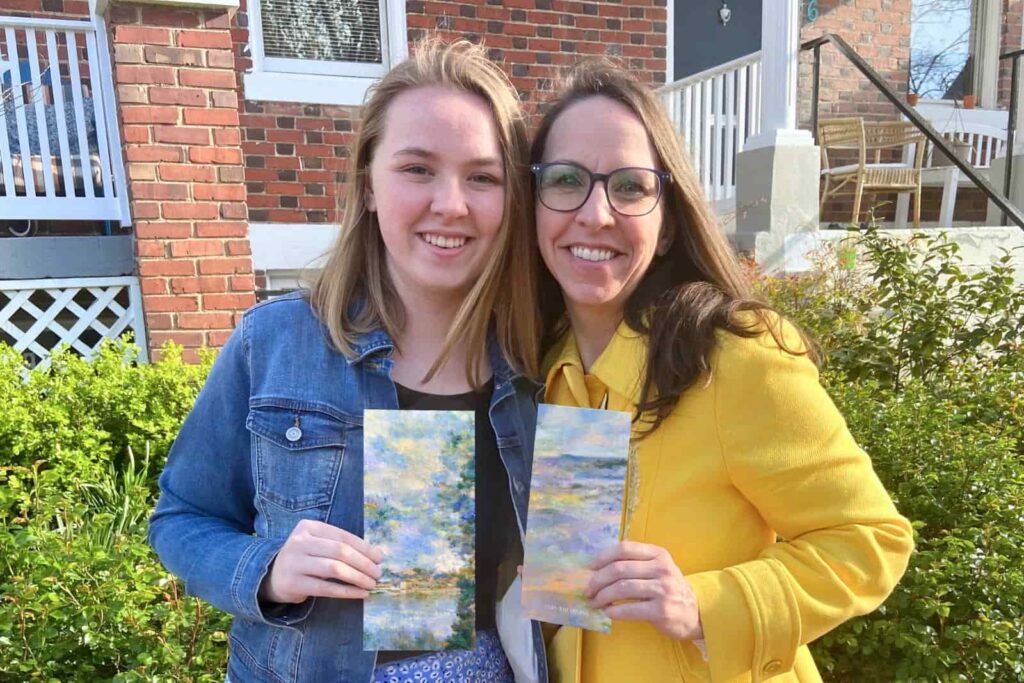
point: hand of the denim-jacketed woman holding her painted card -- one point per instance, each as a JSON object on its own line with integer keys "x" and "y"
{"x": 315, "y": 559}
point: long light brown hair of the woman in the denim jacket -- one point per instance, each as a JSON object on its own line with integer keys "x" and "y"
{"x": 355, "y": 294}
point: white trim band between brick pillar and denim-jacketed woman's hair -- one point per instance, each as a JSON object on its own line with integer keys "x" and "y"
{"x": 290, "y": 246}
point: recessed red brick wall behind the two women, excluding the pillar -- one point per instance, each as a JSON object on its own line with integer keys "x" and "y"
{"x": 296, "y": 156}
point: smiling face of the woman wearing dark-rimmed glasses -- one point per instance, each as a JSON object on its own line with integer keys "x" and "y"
{"x": 599, "y": 257}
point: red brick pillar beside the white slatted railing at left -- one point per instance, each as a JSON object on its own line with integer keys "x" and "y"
{"x": 179, "y": 100}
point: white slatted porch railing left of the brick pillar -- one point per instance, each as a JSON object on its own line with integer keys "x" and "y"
{"x": 60, "y": 144}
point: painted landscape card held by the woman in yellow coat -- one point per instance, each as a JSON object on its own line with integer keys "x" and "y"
{"x": 576, "y": 502}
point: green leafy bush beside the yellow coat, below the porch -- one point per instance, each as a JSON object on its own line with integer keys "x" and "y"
{"x": 927, "y": 364}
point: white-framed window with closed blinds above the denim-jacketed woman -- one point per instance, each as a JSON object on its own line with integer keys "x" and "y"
{"x": 323, "y": 52}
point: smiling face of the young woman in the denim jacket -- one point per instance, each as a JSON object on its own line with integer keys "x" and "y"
{"x": 437, "y": 183}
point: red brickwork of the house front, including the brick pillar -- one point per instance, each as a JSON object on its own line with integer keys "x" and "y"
{"x": 204, "y": 163}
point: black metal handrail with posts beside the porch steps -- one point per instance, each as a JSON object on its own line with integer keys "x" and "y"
{"x": 1004, "y": 204}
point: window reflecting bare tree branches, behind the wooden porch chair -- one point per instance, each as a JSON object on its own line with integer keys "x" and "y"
{"x": 954, "y": 49}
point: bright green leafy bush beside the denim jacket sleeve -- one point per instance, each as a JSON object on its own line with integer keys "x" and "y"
{"x": 82, "y": 596}
